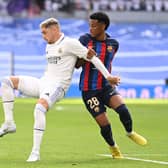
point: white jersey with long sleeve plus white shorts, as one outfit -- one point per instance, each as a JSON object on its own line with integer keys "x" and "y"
{"x": 61, "y": 57}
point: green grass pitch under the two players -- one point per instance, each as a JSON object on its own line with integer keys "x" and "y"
{"x": 72, "y": 138}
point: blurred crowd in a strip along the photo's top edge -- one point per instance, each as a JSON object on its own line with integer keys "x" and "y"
{"x": 36, "y": 7}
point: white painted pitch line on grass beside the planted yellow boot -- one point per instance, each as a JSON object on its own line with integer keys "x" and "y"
{"x": 138, "y": 159}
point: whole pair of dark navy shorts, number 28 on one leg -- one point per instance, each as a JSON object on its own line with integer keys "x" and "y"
{"x": 97, "y": 100}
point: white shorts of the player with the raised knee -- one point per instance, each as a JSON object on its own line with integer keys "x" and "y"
{"x": 41, "y": 88}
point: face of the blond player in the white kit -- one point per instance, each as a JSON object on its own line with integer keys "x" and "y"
{"x": 49, "y": 34}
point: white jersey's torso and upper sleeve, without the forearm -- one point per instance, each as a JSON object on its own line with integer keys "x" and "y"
{"x": 61, "y": 58}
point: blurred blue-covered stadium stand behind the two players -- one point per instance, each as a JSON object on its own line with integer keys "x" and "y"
{"x": 142, "y": 60}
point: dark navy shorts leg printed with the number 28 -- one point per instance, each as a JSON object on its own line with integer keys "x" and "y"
{"x": 93, "y": 102}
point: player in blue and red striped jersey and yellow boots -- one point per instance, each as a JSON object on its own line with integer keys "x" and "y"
{"x": 97, "y": 93}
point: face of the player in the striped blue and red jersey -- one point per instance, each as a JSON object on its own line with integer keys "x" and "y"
{"x": 96, "y": 28}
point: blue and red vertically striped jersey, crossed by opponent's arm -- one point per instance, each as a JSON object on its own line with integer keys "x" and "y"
{"x": 91, "y": 78}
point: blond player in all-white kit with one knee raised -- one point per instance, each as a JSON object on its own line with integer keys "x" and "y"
{"x": 61, "y": 54}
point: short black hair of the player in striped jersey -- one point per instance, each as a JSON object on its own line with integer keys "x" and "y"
{"x": 101, "y": 17}
